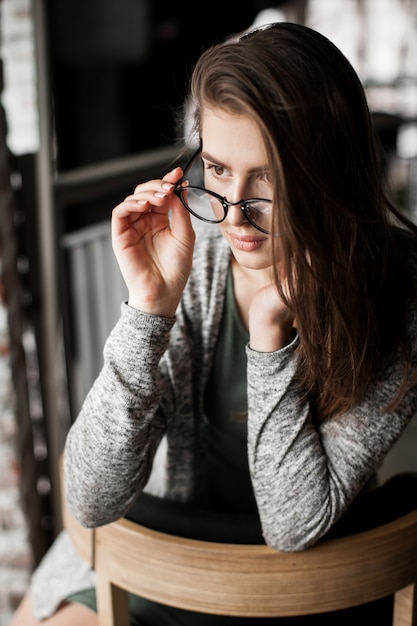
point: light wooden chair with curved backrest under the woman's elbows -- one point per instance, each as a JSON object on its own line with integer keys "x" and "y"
{"x": 249, "y": 580}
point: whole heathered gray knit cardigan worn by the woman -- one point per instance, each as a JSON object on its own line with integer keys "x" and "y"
{"x": 143, "y": 425}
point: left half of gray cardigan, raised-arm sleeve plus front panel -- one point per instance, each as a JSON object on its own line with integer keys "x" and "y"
{"x": 152, "y": 383}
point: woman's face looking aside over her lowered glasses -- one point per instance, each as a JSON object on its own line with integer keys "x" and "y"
{"x": 236, "y": 167}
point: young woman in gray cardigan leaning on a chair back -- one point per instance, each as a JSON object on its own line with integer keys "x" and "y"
{"x": 265, "y": 367}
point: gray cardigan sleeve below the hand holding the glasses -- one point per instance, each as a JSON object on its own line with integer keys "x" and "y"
{"x": 110, "y": 447}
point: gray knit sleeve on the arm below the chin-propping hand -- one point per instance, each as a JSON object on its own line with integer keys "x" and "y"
{"x": 305, "y": 477}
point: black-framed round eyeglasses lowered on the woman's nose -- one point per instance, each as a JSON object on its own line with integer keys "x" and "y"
{"x": 211, "y": 207}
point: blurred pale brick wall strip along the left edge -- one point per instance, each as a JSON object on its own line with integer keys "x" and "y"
{"x": 16, "y": 554}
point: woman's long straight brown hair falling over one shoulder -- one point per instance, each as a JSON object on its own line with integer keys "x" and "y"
{"x": 349, "y": 269}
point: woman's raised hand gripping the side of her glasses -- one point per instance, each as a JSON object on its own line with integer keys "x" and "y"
{"x": 154, "y": 255}
